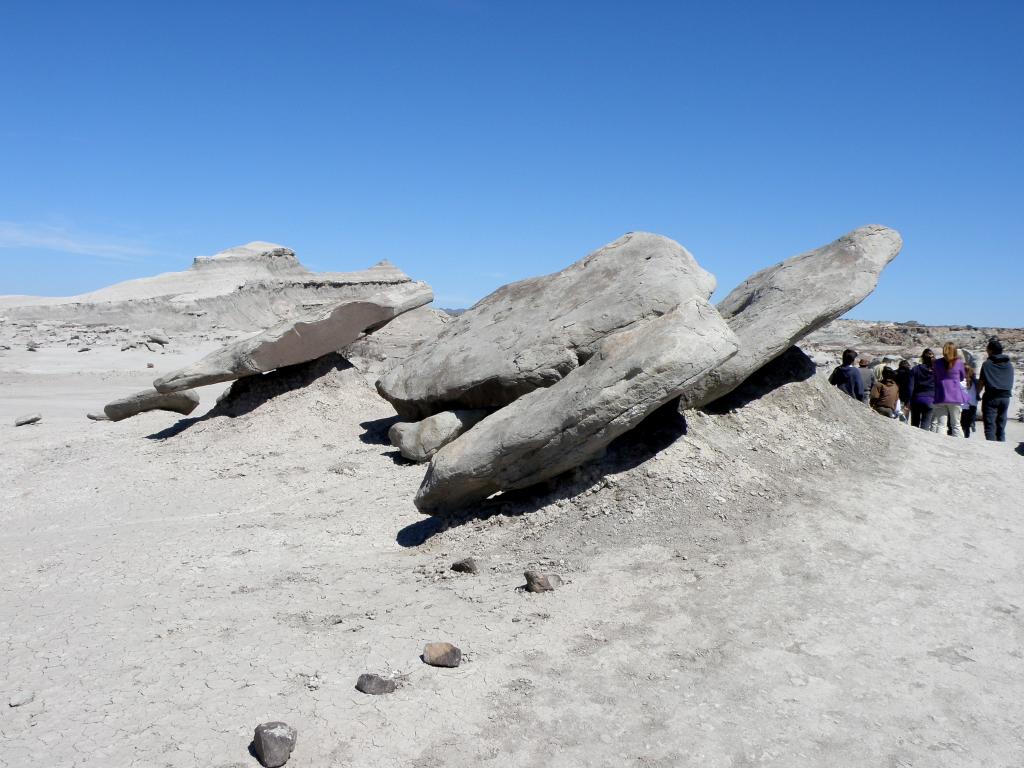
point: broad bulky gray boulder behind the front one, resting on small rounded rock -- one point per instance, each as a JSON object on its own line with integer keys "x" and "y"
{"x": 531, "y": 334}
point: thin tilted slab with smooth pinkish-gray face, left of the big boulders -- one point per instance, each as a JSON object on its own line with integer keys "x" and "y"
{"x": 314, "y": 336}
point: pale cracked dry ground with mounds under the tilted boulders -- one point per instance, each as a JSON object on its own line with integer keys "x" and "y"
{"x": 800, "y": 583}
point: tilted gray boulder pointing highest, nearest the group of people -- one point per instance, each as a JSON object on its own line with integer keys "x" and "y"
{"x": 775, "y": 309}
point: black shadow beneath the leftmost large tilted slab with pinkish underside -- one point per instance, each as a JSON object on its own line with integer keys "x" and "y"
{"x": 251, "y": 393}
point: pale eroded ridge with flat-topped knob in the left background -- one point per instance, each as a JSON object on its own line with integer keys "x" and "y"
{"x": 247, "y": 288}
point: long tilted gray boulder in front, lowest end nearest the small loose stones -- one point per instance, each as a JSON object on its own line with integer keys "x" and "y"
{"x": 549, "y": 432}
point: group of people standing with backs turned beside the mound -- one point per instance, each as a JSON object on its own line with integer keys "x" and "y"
{"x": 942, "y": 396}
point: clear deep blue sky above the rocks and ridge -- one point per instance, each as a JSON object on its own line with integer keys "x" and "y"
{"x": 477, "y": 143}
